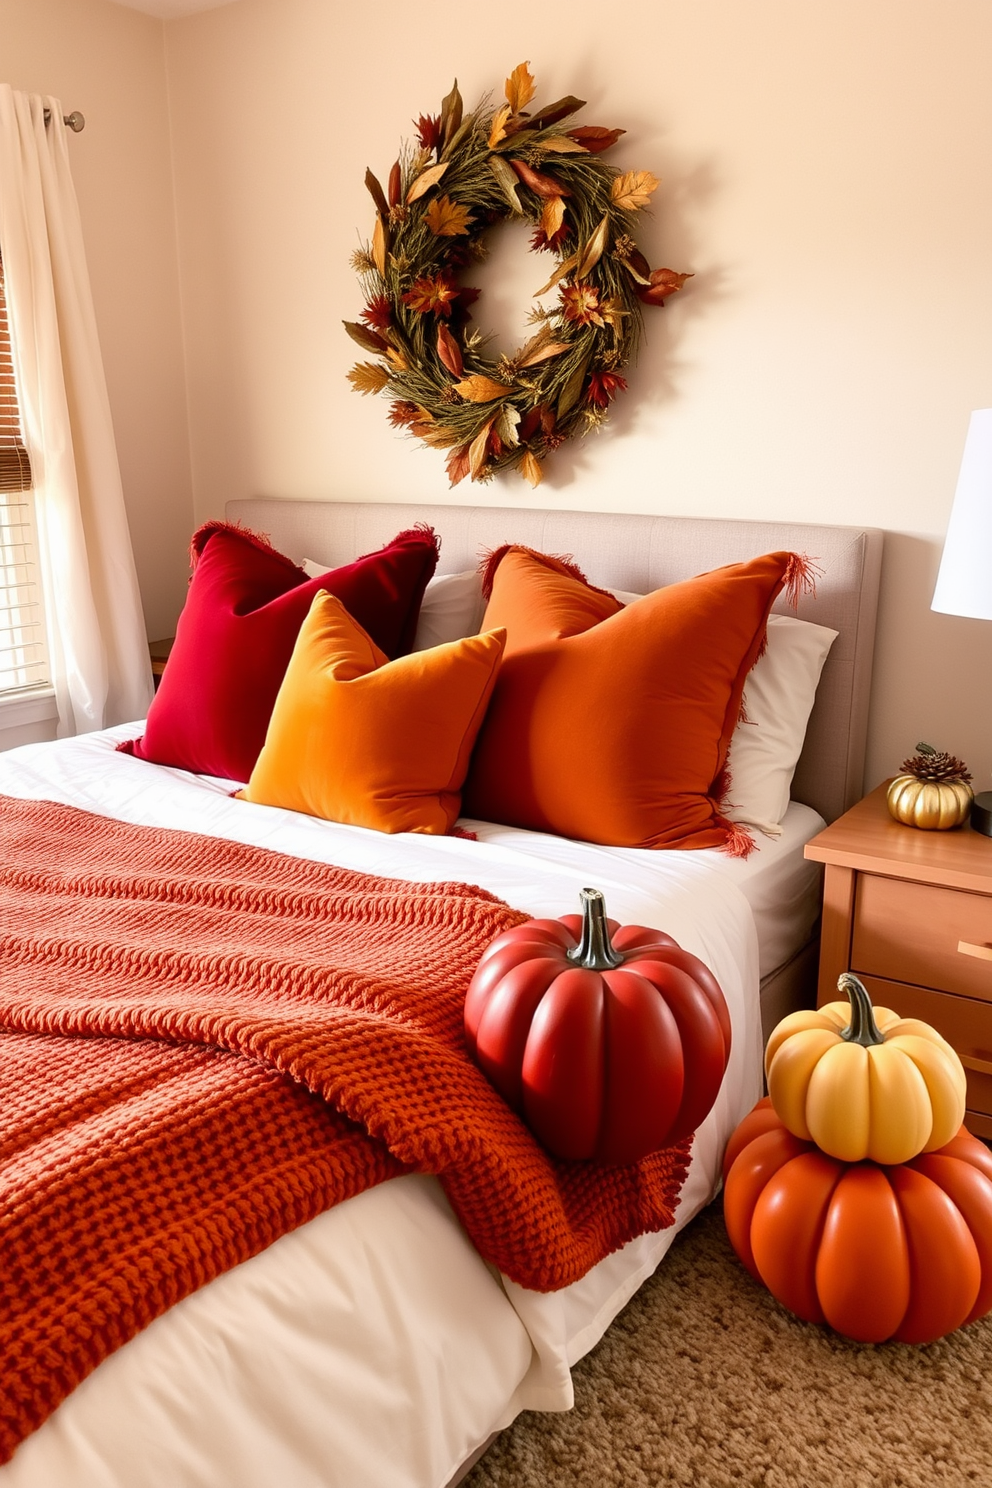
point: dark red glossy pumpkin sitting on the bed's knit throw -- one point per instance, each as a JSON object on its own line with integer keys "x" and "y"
{"x": 612, "y": 1042}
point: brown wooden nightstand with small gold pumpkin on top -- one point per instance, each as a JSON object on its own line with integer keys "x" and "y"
{"x": 911, "y": 913}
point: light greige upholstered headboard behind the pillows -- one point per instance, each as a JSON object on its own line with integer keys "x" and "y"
{"x": 640, "y": 554}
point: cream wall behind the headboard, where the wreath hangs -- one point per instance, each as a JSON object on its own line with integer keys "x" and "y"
{"x": 826, "y": 176}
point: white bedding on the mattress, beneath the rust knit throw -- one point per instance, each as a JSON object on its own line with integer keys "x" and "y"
{"x": 374, "y": 1346}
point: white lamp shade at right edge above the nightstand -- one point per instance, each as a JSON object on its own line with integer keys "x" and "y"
{"x": 964, "y": 581}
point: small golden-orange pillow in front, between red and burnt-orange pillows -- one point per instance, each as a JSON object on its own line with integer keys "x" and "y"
{"x": 376, "y": 743}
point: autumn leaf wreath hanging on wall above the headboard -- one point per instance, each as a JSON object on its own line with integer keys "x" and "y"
{"x": 468, "y": 175}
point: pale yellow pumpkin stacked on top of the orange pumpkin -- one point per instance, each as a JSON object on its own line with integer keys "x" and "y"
{"x": 863, "y": 1083}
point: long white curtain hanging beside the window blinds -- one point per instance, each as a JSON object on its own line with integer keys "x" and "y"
{"x": 100, "y": 661}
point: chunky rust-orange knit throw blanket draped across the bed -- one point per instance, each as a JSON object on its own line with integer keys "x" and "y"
{"x": 203, "y": 1045}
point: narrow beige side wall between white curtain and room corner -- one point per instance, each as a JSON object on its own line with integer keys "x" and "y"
{"x": 111, "y": 65}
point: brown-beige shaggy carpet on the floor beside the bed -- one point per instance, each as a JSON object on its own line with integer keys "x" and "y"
{"x": 706, "y": 1382}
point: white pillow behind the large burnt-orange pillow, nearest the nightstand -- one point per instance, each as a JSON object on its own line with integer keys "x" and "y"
{"x": 779, "y": 699}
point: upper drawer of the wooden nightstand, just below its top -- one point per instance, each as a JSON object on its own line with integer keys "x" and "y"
{"x": 911, "y": 934}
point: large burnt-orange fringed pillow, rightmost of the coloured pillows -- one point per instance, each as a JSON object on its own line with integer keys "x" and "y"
{"x": 619, "y": 734}
